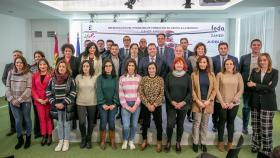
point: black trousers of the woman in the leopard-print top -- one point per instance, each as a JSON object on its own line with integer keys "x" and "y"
{"x": 147, "y": 120}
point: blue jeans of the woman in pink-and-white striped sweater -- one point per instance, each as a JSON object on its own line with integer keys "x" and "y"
{"x": 130, "y": 121}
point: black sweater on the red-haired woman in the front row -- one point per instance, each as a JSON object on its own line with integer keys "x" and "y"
{"x": 178, "y": 89}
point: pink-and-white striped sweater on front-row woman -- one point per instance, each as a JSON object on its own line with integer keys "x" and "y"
{"x": 128, "y": 90}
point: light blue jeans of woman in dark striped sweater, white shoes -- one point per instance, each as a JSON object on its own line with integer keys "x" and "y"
{"x": 63, "y": 126}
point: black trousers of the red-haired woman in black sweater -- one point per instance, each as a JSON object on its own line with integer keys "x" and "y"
{"x": 177, "y": 117}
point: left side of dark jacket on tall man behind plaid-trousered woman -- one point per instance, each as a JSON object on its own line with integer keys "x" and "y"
{"x": 244, "y": 68}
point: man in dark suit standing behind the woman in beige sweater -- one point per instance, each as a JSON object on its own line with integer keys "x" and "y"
{"x": 218, "y": 62}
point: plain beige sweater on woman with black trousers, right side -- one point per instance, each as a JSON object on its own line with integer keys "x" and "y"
{"x": 230, "y": 88}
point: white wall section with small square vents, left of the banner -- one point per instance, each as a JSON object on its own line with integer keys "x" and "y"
{"x": 46, "y": 44}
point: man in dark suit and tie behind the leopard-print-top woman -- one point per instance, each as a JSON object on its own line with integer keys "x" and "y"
{"x": 153, "y": 57}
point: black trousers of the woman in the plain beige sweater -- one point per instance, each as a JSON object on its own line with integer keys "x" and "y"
{"x": 226, "y": 116}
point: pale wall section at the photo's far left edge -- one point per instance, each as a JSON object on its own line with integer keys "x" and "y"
{"x": 15, "y": 34}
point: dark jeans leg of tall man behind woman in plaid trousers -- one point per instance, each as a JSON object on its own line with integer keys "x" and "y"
{"x": 246, "y": 110}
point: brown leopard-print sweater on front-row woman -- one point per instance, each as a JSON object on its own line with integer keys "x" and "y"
{"x": 152, "y": 90}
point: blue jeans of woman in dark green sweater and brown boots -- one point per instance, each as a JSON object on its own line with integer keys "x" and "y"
{"x": 107, "y": 116}
